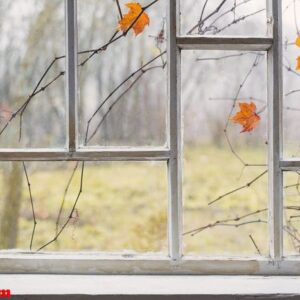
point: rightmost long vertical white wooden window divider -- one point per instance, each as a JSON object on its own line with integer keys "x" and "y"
{"x": 275, "y": 98}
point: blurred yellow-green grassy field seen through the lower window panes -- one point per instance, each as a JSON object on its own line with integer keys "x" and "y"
{"x": 123, "y": 206}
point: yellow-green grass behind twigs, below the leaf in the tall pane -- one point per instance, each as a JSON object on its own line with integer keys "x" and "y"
{"x": 209, "y": 173}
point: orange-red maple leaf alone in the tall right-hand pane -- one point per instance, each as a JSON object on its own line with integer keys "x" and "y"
{"x": 247, "y": 117}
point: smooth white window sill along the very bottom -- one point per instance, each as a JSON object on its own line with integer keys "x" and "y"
{"x": 143, "y": 286}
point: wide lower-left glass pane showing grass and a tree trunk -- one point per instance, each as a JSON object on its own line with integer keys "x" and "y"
{"x": 122, "y": 207}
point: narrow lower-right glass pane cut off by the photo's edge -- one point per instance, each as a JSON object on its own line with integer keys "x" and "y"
{"x": 291, "y": 217}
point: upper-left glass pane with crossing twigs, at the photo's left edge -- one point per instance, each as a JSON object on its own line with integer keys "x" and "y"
{"x": 32, "y": 111}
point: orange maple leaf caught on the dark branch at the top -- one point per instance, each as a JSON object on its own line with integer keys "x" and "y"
{"x": 135, "y": 16}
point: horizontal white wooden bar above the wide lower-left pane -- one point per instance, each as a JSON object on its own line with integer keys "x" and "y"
{"x": 104, "y": 154}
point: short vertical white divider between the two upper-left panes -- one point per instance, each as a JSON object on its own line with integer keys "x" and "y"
{"x": 71, "y": 73}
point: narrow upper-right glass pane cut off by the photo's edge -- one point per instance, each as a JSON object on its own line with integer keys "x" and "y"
{"x": 291, "y": 106}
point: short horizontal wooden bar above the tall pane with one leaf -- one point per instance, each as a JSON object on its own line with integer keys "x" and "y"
{"x": 224, "y": 43}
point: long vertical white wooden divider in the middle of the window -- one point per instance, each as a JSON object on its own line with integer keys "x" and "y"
{"x": 175, "y": 134}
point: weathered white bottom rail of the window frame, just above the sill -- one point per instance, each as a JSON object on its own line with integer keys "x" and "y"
{"x": 93, "y": 263}
